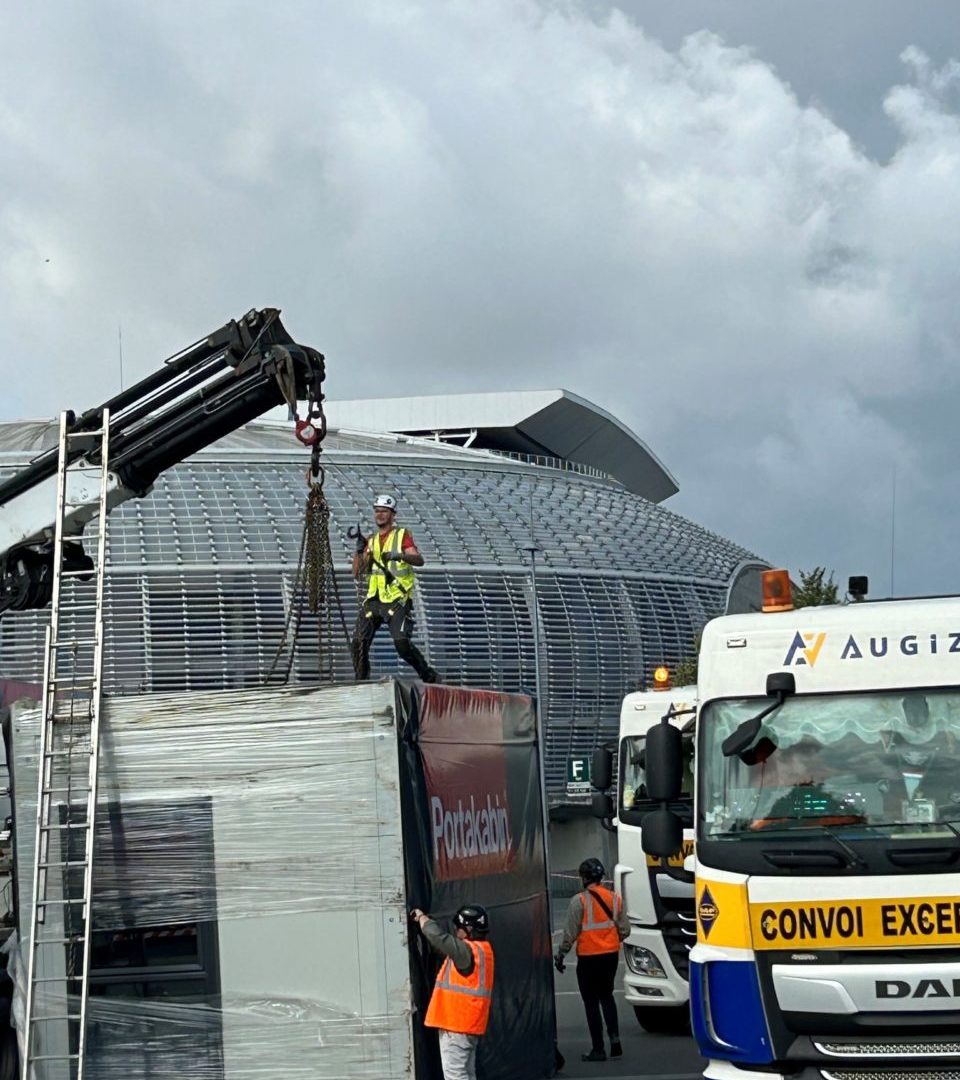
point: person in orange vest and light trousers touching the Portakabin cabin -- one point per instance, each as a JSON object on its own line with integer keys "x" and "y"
{"x": 461, "y": 1005}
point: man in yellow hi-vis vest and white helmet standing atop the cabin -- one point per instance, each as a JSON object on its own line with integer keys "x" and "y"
{"x": 388, "y": 558}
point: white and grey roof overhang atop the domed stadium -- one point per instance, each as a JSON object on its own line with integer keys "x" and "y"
{"x": 550, "y": 423}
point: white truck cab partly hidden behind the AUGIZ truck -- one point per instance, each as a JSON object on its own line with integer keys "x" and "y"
{"x": 660, "y": 908}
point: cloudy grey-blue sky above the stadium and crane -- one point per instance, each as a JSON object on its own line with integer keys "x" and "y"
{"x": 735, "y": 225}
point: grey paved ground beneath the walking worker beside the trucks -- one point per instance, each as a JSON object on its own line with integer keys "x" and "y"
{"x": 665, "y": 1057}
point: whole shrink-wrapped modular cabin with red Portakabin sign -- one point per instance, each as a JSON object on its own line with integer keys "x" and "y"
{"x": 256, "y": 856}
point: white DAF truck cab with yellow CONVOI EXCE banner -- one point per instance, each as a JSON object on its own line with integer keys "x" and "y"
{"x": 828, "y": 831}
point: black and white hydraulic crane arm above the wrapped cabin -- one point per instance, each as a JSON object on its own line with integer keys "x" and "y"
{"x": 200, "y": 395}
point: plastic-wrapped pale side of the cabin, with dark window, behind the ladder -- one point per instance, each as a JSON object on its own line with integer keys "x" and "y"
{"x": 249, "y": 900}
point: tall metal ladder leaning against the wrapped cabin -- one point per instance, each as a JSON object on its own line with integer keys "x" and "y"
{"x": 58, "y": 982}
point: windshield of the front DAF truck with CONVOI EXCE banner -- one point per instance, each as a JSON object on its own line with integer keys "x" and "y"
{"x": 873, "y": 762}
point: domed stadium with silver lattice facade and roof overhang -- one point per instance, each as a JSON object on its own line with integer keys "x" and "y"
{"x": 204, "y": 570}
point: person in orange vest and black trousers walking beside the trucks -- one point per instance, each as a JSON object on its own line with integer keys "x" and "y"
{"x": 597, "y": 923}
